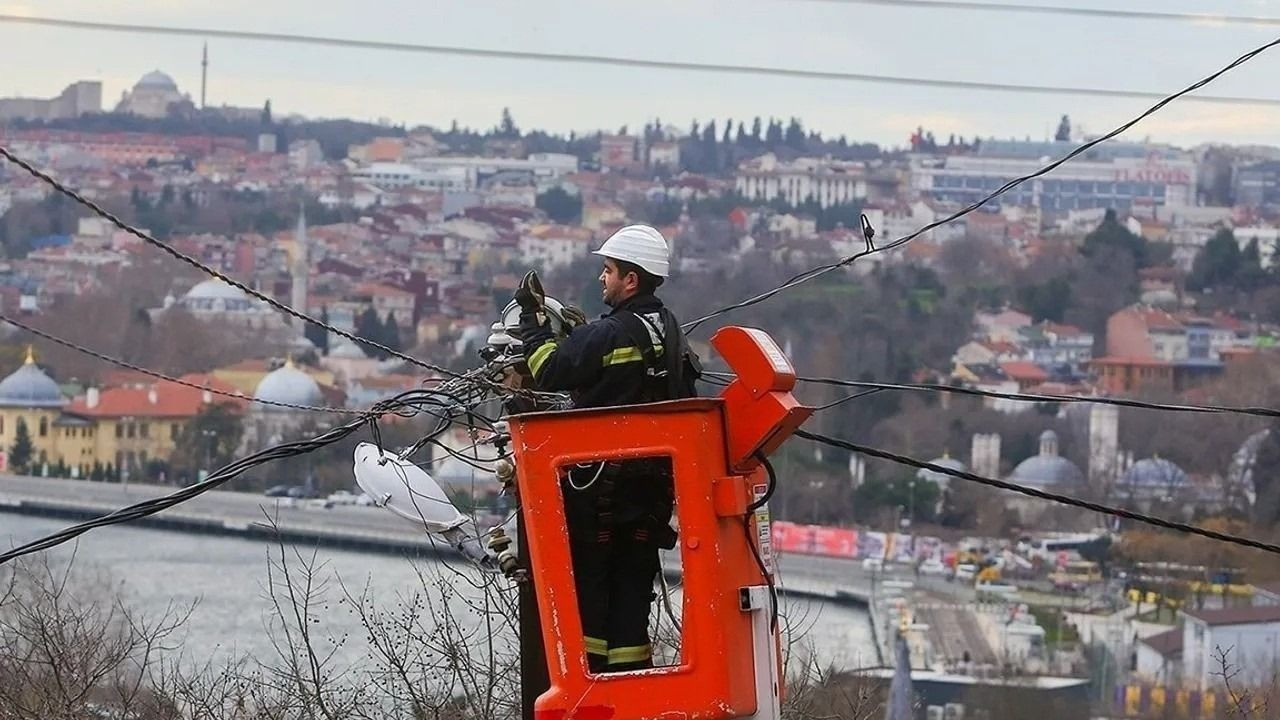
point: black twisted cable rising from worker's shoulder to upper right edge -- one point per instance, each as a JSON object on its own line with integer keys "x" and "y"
{"x": 871, "y": 250}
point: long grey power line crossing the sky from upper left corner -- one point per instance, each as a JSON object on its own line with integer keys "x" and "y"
{"x": 615, "y": 61}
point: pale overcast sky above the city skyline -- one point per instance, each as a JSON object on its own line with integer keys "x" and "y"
{"x": 422, "y": 89}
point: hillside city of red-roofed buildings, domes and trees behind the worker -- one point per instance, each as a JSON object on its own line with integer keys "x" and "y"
{"x": 1137, "y": 271}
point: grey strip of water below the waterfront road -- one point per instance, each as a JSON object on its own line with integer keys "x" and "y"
{"x": 228, "y": 580}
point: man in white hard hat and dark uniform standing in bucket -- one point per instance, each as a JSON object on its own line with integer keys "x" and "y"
{"x": 619, "y": 514}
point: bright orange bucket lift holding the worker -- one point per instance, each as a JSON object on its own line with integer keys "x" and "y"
{"x": 730, "y": 660}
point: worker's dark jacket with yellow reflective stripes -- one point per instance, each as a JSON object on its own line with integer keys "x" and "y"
{"x": 604, "y": 363}
